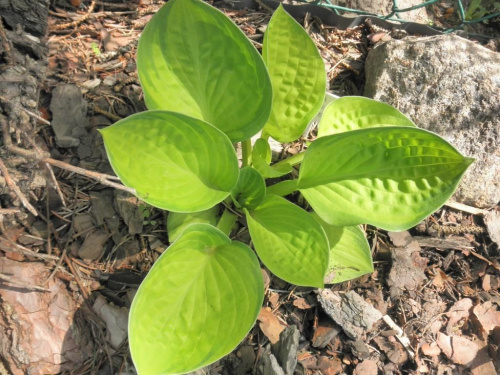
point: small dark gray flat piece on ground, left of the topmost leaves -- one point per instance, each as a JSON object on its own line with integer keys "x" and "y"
{"x": 69, "y": 115}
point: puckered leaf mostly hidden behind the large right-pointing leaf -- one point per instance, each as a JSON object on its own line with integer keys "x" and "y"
{"x": 356, "y": 112}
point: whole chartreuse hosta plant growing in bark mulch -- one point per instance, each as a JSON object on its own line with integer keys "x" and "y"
{"x": 207, "y": 88}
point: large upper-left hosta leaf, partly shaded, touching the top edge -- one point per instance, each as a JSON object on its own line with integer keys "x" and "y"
{"x": 192, "y": 59}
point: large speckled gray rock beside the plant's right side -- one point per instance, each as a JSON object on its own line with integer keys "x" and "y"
{"x": 450, "y": 86}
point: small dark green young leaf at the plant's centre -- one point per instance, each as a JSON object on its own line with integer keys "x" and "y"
{"x": 250, "y": 189}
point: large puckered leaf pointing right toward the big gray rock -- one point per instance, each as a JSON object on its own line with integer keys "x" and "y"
{"x": 390, "y": 177}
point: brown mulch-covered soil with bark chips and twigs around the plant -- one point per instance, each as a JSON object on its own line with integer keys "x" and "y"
{"x": 75, "y": 244}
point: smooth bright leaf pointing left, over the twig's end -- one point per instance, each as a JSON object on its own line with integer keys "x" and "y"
{"x": 168, "y": 159}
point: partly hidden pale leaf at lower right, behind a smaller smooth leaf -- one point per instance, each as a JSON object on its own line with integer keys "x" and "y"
{"x": 350, "y": 255}
